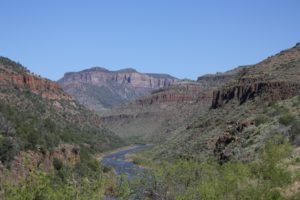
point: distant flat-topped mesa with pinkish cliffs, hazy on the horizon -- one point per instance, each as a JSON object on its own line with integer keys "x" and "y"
{"x": 98, "y": 88}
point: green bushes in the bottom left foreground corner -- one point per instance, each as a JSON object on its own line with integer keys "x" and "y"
{"x": 42, "y": 186}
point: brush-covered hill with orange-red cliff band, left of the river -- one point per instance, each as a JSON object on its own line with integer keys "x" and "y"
{"x": 37, "y": 115}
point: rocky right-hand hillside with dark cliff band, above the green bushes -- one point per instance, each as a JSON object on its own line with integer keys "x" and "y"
{"x": 250, "y": 106}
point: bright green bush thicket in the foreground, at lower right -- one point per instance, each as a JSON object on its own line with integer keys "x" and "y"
{"x": 190, "y": 179}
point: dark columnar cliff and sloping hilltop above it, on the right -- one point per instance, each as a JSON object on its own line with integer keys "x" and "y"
{"x": 275, "y": 78}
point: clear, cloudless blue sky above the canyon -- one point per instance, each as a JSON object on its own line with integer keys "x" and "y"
{"x": 184, "y": 38}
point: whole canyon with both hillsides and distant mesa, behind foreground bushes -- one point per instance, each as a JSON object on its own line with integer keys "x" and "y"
{"x": 227, "y": 117}
